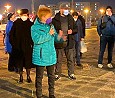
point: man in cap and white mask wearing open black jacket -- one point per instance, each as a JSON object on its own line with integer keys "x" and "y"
{"x": 64, "y": 22}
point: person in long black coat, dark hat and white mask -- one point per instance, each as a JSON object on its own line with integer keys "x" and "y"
{"x": 22, "y": 44}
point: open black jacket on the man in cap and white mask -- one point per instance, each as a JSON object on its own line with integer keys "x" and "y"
{"x": 71, "y": 25}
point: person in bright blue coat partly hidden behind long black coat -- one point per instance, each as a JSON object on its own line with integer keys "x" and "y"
{"x": 8, "y": 47}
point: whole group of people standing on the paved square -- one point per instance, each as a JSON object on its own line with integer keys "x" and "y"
{"x": 43, "y": 43}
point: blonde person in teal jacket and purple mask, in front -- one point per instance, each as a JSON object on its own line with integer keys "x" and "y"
{"x": 44, "y": 53}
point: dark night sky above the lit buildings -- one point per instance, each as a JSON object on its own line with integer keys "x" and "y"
{"x": 17, "y": 4}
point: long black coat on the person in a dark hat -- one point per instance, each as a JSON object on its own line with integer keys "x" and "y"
{"x": 21, "y": 41}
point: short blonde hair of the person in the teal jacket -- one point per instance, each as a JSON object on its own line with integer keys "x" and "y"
{"x": 43, "y": 11}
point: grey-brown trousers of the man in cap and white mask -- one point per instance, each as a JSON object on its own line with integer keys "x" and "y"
{"x": 70, "y": 60}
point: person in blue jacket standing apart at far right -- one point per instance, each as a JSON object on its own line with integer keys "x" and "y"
{"x": 106, "y": 31}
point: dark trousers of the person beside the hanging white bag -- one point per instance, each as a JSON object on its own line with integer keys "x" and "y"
{"x": 77, "y": 52}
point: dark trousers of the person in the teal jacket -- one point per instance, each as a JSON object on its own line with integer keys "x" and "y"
{"x": 39, "y": 77}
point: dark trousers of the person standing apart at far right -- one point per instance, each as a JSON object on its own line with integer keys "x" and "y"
{"x": 104, "y": 41}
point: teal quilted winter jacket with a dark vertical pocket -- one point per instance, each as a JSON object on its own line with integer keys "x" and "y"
{"x": 44, "y": 53}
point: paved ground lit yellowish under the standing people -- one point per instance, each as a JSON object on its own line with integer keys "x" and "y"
{"x": 91, "y": 81}
